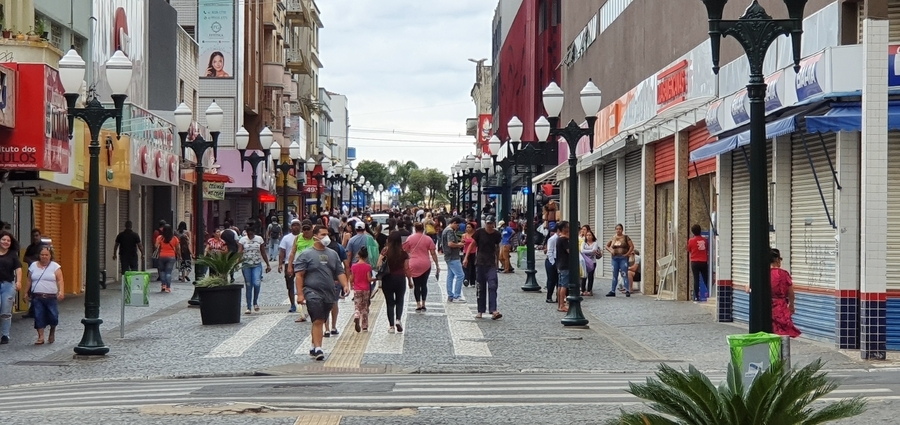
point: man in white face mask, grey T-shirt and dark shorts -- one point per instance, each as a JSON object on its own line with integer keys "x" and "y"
{"x": 316, "y": 271}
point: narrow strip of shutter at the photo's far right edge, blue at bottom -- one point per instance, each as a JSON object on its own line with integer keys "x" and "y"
{"x": 892, "y": 276}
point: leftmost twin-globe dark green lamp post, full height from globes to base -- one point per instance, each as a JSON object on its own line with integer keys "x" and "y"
{"x": 118, "y": 76}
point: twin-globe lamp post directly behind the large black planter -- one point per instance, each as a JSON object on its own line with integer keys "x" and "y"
{"x": 199, "y": 145}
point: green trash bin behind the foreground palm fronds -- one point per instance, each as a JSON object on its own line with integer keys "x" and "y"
{"x": 754, "y": 353}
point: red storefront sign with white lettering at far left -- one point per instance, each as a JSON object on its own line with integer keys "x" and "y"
{"x": 40, "y": 140}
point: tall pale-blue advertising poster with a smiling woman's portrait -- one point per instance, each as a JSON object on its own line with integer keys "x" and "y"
{"x": 215, "y": 36}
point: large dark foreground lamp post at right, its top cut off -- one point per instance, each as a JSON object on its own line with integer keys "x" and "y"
{"x": 756, "y": 31}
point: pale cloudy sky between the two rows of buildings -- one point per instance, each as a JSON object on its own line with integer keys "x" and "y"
{"x": 403, "y": 66}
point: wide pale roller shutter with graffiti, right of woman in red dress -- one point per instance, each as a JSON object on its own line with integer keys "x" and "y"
{"x": 812, "y": 236}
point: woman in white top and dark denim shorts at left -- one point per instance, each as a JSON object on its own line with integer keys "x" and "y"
{"x": 46, "y": 286}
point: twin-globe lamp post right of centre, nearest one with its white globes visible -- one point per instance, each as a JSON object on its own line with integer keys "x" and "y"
{"x": 572, "y": 133}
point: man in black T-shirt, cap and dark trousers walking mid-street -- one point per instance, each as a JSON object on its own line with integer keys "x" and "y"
{"x": 487, "y": 240}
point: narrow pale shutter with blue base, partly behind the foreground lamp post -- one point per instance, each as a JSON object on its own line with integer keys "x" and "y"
{"x": 740, "y": 226}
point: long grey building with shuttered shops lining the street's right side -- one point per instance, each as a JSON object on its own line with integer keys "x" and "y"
{"x": 670, "y": 151}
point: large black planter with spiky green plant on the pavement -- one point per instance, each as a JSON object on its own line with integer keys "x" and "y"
{"x": 220, "y": 300}
